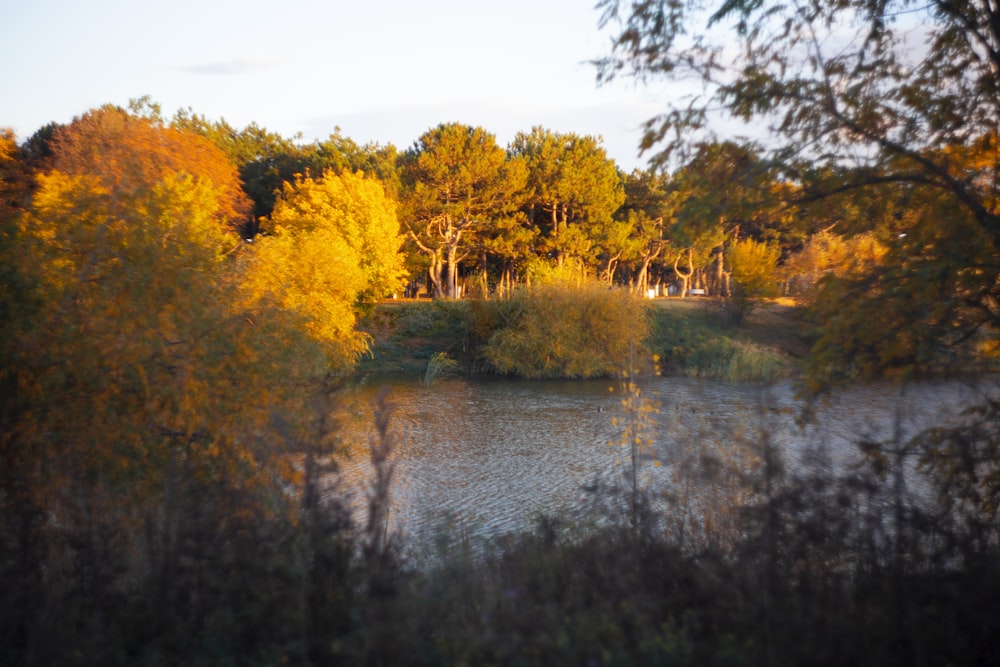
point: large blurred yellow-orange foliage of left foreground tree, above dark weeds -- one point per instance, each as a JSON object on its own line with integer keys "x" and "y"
{"x": 141, "y": 340}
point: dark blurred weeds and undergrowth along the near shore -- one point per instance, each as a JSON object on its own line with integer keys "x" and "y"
{"x": 736, "y": 562}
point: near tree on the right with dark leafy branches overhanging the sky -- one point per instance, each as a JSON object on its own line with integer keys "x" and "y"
{"x": 895, "y": 96}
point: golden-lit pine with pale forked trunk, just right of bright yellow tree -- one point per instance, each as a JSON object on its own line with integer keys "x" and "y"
{"x": 455, "y": 179}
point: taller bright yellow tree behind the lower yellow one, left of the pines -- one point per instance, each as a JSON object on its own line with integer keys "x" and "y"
{"x": 358, "y": 208}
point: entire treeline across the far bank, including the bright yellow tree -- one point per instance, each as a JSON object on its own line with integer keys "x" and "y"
{"x": 901, "y": 276}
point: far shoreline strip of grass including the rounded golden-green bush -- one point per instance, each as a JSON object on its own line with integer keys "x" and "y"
{"x": 557, "y": 332}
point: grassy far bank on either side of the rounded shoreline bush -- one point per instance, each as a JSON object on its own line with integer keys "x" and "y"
{"x": 688, "y": 337}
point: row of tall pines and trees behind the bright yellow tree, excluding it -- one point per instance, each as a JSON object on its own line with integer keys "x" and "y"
{"x": 481, "y": 218}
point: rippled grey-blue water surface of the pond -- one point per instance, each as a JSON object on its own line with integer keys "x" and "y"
{"x": 493, "y": 454}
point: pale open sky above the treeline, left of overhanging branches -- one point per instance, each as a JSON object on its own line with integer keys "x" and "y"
{"x": 381, "y": 71}
